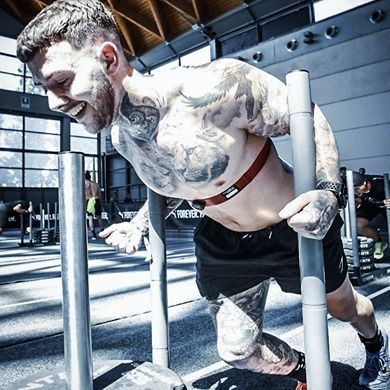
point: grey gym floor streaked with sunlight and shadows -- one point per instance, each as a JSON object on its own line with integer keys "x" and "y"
{"x": 31, "y": 337}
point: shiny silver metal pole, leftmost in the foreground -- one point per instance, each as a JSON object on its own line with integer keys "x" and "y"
{"x": 74, "y": 269}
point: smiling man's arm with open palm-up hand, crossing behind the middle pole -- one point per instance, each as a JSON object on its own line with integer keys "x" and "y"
{"x": 127, "y": 236}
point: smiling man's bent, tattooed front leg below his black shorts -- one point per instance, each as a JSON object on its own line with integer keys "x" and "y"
{"x": 241, "y": 341}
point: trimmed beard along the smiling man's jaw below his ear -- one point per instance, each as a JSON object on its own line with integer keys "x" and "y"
{"x": 102, "y": 104}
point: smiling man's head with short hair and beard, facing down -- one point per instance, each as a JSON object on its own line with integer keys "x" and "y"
{"x": 73, "y": 50}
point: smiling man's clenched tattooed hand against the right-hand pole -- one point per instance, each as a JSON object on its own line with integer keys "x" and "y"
{"x": 311, "y": 214}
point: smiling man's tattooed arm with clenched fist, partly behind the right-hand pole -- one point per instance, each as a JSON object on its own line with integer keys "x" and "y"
{"x": 312, "y": 213}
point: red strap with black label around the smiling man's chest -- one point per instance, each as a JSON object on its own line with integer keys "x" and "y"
{"x": 240, "y": 184}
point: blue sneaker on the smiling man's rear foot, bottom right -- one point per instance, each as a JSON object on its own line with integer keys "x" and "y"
{"x": 376, "y": 371}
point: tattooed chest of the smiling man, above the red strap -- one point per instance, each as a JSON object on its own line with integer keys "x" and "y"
{"x": 179, "y": 157}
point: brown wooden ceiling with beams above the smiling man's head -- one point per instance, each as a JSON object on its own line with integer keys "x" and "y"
{"x": 143, "y": 24}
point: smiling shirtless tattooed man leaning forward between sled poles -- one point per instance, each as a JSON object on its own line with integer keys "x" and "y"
{"x": 202, "y": 134}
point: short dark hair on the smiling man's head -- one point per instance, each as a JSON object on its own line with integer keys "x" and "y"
{"x": 79, "y": 22}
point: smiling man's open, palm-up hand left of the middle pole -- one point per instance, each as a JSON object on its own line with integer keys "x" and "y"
{"x": 125, "y": 237}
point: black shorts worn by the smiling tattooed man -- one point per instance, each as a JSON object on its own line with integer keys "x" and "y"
{"x": 230, "y": 262}
